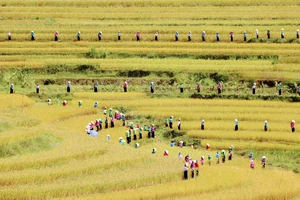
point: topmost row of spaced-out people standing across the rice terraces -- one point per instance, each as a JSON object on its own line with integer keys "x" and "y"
{"x": 176, "y": 36}
